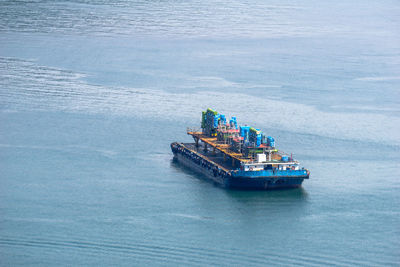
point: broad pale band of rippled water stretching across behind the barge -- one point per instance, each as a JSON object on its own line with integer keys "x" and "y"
{"x": 27, "y": 85}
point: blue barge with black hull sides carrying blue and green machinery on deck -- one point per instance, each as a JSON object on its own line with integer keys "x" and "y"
{"x": 238, "y": 157}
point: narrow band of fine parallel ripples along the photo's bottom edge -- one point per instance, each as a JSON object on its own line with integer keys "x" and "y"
{"x": 181, "y": 252}
